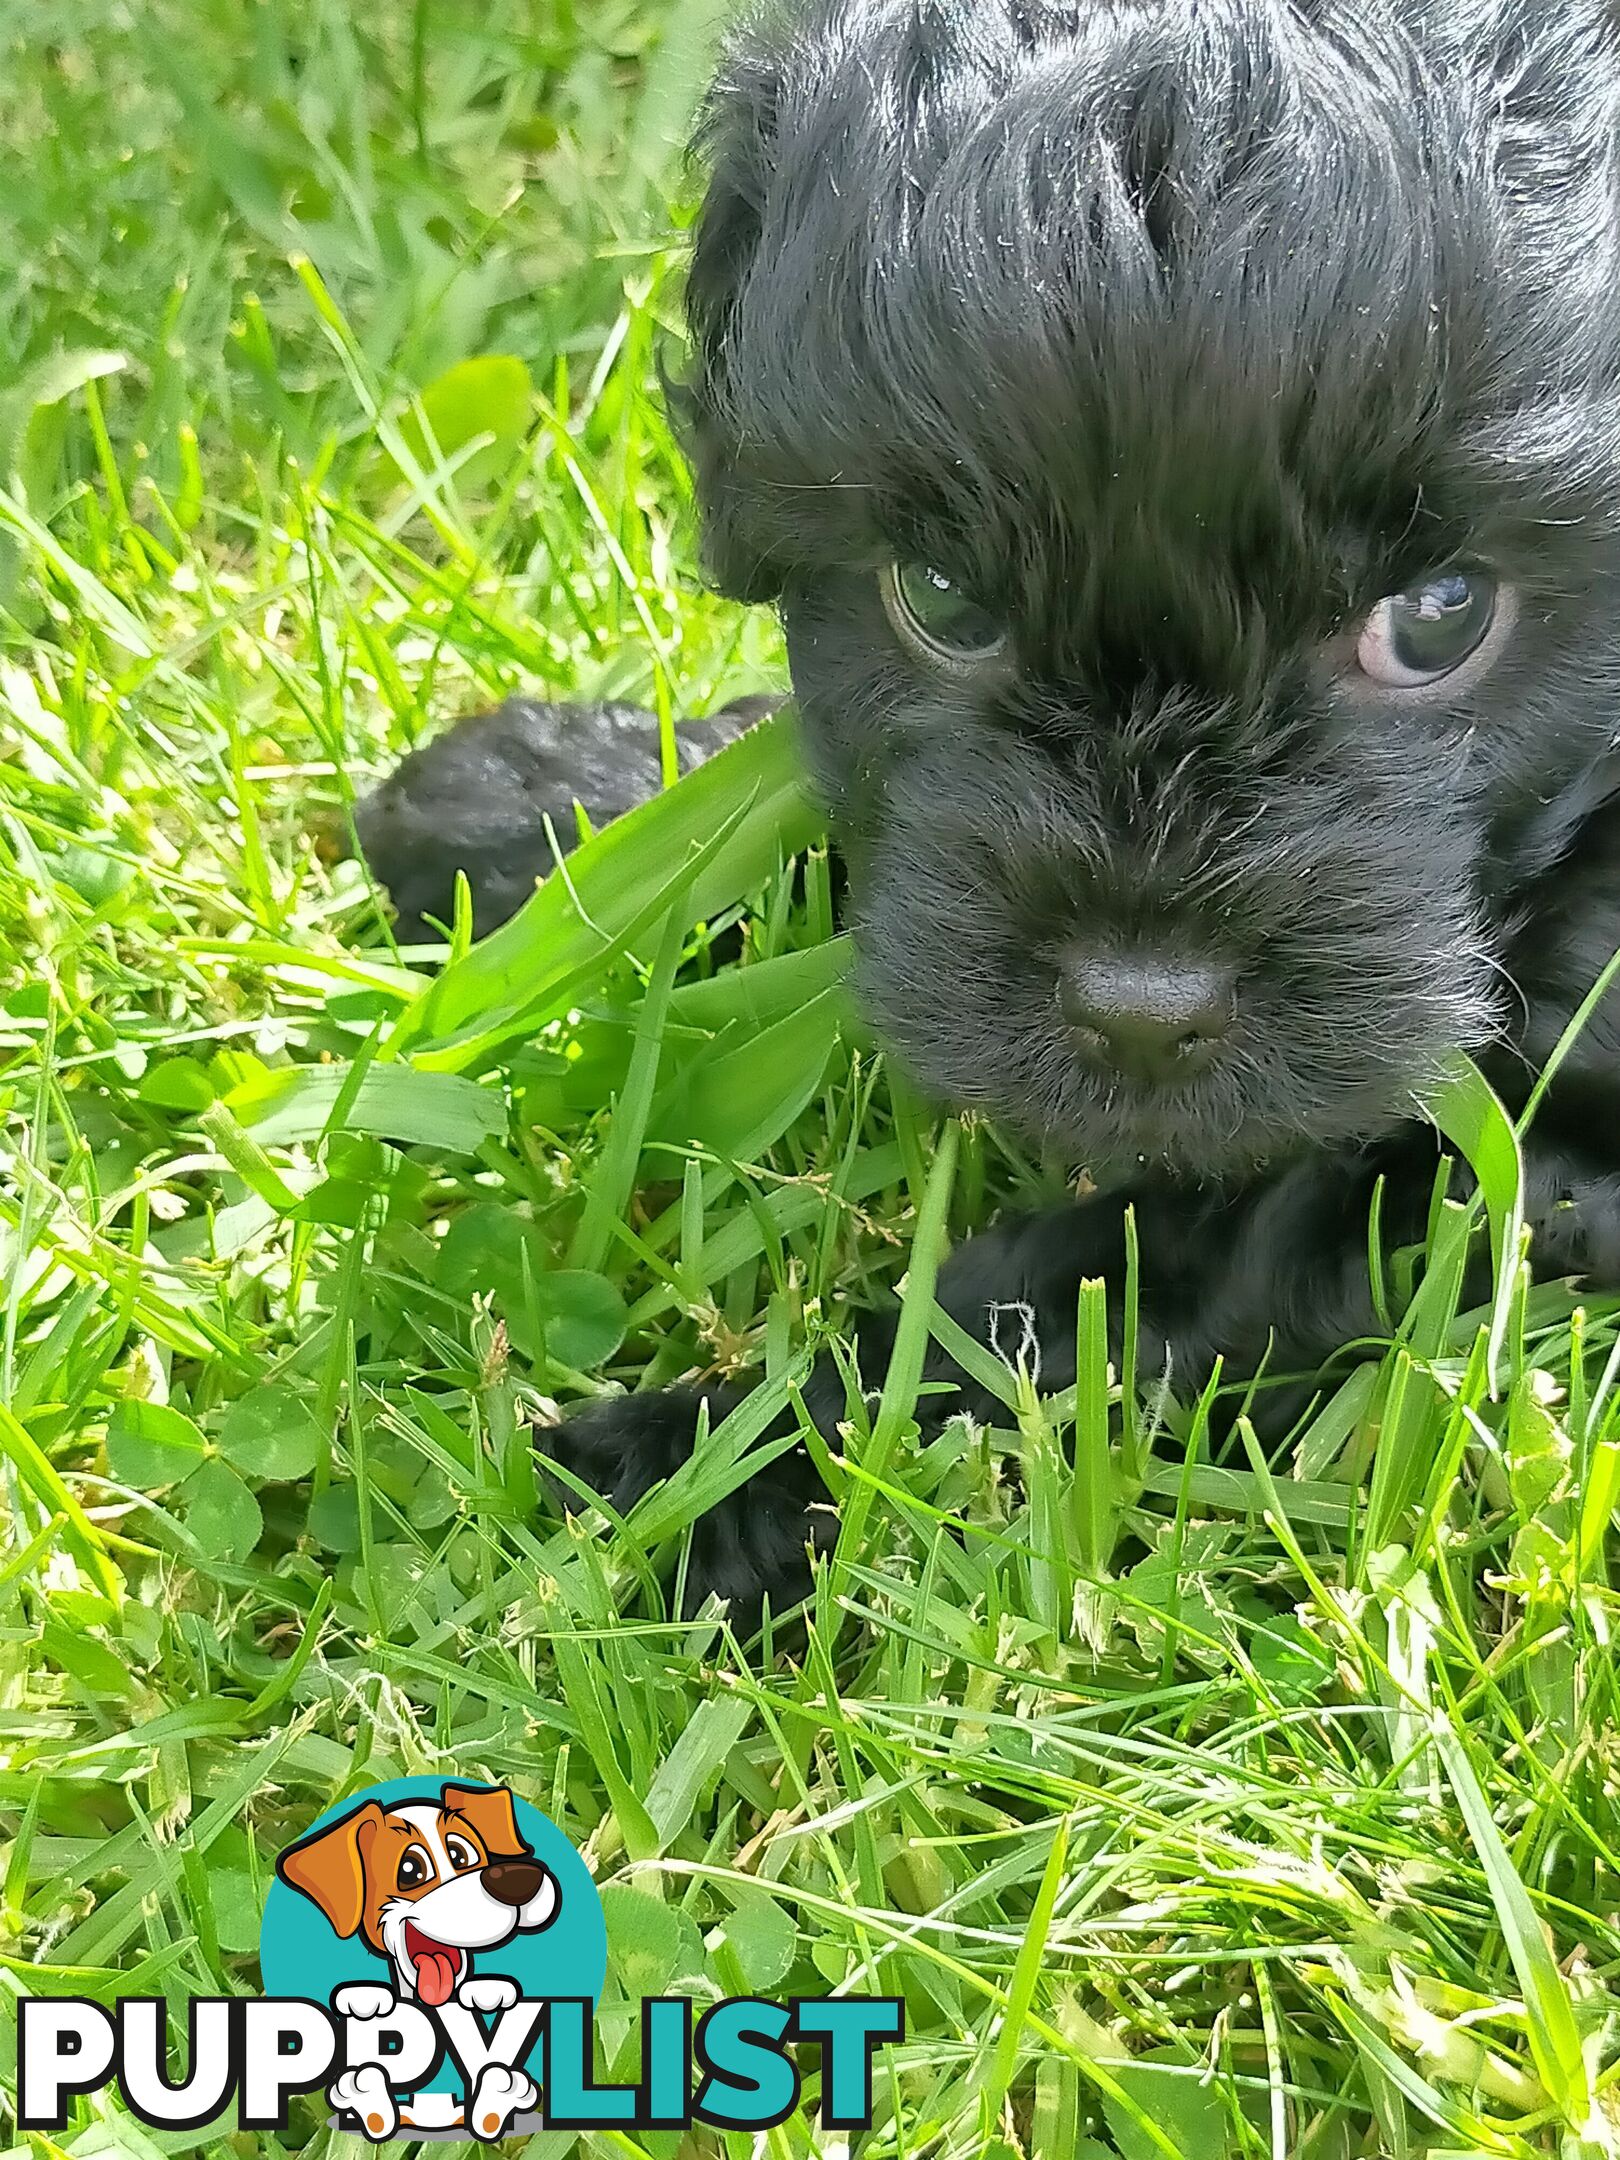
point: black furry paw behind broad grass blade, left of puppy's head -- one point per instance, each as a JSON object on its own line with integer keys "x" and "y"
{"x": 478, "y": 800}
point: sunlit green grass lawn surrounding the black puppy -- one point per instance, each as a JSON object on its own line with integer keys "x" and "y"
{"x": 1206, "y": 1809}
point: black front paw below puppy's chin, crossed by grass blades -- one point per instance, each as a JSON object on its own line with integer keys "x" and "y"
{"x": 753, "y": 1545}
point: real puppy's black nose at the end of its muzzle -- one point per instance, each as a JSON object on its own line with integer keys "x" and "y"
{"x": 1146, "y": 1014}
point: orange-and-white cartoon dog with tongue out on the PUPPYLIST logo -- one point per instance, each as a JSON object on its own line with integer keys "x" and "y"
{"x": 427, "y": 1887}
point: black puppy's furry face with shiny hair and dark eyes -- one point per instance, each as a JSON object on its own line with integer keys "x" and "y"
{"x": 1183, "y": 442}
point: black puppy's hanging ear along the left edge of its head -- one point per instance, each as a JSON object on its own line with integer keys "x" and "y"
{"x": 738, "y": 141}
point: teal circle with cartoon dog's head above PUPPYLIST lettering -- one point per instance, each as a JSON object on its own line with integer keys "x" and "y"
{"x": 435, "y": 1891}
